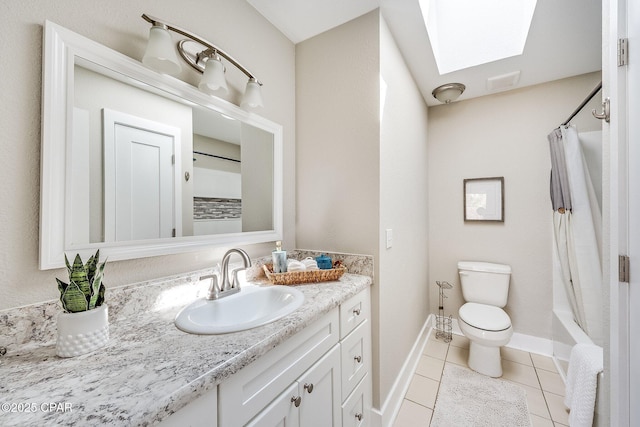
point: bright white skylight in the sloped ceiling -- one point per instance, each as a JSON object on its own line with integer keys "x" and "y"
{"x": 465, "y": 33}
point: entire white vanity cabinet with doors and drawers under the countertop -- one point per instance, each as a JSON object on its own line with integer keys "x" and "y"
{"x": 320, "y": 377}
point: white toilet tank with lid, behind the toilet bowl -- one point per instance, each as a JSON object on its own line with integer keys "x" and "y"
{"x": 484, "y": 282}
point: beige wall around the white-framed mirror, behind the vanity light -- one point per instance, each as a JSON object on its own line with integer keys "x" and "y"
{"x": 232, "y": 24}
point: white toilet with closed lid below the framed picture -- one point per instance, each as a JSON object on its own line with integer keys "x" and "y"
{"x": 485, "y": 287}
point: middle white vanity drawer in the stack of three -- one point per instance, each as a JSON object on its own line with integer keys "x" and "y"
{"x": 355, "y": 351}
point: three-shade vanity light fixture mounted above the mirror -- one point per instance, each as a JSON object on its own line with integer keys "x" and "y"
{"x": 201, "y": 55}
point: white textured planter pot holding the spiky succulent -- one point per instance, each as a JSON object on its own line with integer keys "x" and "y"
{"x": 83, "y": 332}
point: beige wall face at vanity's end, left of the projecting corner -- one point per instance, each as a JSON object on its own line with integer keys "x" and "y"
{"x": 338, "y": 146}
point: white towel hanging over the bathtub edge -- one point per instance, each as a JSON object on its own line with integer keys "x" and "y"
{"x": 585, "y": 363}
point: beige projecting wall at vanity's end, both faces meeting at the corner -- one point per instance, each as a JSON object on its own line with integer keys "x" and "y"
{"x": 358, "y": 174}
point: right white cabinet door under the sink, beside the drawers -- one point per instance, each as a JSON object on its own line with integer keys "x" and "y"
{"x": 320, "y": 389}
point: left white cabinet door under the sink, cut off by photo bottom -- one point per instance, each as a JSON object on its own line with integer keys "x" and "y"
{"x": 284, "y": 411}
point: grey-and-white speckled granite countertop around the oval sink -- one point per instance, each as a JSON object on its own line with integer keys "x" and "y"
{"x": 149, "y": 369}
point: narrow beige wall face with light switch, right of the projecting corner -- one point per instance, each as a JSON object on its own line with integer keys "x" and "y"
{"x": 404, "y": 208}
